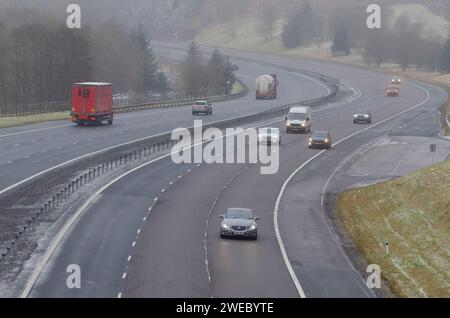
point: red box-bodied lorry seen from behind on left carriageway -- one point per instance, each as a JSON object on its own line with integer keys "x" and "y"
{"x": 92, "y": 103}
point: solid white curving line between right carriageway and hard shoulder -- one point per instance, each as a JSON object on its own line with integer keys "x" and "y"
{"x": 283, "y": 188}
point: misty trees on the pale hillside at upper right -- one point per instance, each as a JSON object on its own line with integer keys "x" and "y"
{"x": 400, "y": 40}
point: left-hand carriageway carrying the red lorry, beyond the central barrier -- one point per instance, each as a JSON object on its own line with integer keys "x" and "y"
{"x": 28, "y": 150}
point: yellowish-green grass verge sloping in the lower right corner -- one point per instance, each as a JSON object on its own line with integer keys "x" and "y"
{"x": 412, "y": 213}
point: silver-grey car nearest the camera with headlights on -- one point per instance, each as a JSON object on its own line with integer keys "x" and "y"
{"x": 238, "y": 222}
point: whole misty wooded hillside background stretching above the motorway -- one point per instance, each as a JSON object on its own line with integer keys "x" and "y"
{"x": 40, "y": 58}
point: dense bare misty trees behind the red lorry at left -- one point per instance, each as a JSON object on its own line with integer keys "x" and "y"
{"x": 40, "y": 58}
